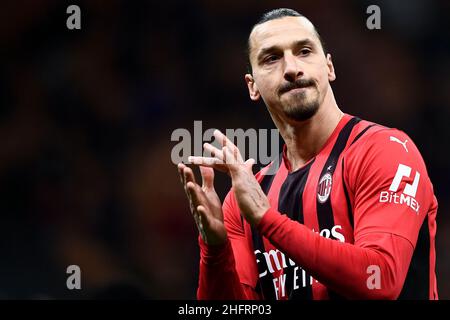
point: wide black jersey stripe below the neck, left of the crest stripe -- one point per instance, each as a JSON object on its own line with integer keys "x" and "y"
{"x": 290, "y": 202}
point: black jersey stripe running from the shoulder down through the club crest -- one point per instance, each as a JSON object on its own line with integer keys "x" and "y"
{"x": 324, "y": 210}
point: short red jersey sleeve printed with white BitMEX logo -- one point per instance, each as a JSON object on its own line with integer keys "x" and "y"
{"x": 390, "y": 184}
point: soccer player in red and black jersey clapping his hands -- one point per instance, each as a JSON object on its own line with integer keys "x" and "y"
{"x": 350, "y": 212}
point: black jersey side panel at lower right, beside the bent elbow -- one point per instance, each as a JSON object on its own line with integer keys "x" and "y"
{"x": 417, "y": 282}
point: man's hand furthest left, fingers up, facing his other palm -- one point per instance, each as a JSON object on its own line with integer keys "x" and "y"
{"x": 205, "y": 204}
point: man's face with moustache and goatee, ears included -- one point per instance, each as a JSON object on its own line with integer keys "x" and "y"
{"x": 290, "y": 70}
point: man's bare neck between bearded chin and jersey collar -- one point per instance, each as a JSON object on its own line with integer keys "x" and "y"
{"x": 305, "y": 139}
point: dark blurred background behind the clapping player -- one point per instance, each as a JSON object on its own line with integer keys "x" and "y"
{"x": 86, "y": 118}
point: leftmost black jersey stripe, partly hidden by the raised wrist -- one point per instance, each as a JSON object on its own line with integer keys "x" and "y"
{"x": 258, "y": 244}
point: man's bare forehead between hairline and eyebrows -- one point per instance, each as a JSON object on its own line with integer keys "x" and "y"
{"x": 268, "y": 33}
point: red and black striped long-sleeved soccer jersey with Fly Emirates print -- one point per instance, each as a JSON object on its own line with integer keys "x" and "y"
{"x": 357, "y": 221}
